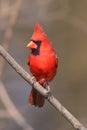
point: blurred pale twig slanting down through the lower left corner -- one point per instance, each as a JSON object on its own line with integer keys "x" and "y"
{"x": 12, "y": 110}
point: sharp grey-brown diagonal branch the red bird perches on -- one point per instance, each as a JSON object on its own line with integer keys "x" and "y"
{"x": 76, "y": 124}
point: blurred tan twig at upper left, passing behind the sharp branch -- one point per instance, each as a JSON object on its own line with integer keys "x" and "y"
{"x": 14, "y": 12}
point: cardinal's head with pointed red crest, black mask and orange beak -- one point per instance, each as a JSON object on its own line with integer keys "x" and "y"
{"x": 39, "y": 40}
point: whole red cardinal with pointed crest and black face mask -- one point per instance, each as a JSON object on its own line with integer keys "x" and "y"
{"x": 42, "y": 63}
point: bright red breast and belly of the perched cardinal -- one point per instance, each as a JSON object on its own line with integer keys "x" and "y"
{"x": 43, "y": 66}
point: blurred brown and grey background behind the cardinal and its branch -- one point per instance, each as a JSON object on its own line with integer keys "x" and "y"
{"x": 65, "y": 23}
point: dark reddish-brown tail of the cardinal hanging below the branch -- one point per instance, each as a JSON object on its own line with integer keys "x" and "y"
{"x": 36, "y": 98}
